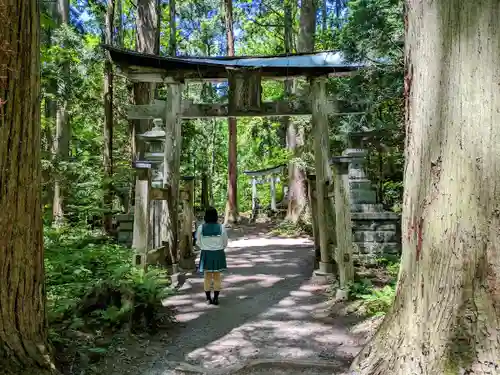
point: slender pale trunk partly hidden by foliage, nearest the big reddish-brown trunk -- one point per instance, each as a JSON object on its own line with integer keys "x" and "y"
{"x": 63, "y": 130}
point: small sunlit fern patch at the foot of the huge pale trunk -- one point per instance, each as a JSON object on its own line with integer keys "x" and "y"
{"x": 375, "y": 288}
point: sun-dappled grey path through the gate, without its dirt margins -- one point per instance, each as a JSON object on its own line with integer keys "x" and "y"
{"x": 268, "y": 308}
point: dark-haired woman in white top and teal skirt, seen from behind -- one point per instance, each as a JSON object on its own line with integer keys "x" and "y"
{"x": 211, "y": 238}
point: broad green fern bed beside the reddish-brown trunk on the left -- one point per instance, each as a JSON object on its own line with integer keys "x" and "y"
{"x": 94, "y": 292}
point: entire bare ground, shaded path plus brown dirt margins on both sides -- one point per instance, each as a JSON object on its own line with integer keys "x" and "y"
{"x": 270, "y": 310}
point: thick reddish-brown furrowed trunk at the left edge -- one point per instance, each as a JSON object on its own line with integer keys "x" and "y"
{"x": 23, "y": 329}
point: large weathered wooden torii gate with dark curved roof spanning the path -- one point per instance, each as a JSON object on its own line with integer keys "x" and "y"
{"x": 244, "y": 75}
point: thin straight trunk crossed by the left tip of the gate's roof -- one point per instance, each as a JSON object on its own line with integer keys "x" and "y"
{"x": 108, "y": 123}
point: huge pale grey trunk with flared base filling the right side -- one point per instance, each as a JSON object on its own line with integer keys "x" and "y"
{"x": 446, "y": 316}
